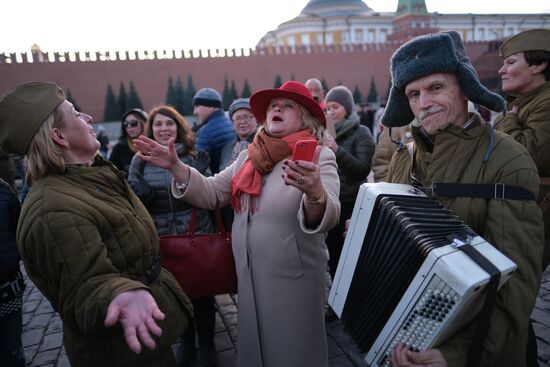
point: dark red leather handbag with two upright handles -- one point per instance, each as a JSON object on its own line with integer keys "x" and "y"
{"x": 203, "y": 264}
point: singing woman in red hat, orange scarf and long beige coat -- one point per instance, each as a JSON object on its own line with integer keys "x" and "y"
{"x": 283, "y": 209}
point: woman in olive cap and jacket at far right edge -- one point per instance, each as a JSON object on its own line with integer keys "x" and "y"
{"x": 526, "y": 79}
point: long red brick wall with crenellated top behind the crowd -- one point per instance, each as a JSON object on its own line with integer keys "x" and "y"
{"x": 87, "y": 80}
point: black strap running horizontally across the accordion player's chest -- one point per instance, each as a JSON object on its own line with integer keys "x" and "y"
{"x": 498, "y": 191}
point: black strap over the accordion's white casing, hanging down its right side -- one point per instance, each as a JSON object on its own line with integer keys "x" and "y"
{"x": 482, "y": 327}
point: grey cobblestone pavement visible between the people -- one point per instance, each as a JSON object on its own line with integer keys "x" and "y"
{"x": 42, "y": 332}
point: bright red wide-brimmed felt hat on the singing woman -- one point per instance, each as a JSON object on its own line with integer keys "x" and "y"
{"x": 292, "y": 90}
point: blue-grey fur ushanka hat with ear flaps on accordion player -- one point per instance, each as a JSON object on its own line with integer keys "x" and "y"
{"x": 441, "y": 52}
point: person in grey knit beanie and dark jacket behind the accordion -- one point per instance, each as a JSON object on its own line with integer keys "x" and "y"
{"x": 353, "y": 147}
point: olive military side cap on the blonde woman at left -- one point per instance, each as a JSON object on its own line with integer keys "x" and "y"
{"x": 23, "y": 110}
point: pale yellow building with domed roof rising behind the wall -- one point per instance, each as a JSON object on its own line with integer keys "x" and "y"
{"x": 333, "y": 22}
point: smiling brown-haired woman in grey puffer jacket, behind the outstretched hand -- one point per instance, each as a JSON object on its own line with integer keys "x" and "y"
{"x": 171, "y": 216}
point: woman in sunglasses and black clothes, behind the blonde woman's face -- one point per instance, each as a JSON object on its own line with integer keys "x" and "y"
{"x": 133, "y": 125}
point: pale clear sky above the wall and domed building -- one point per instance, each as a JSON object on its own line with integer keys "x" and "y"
{"x": 73, "y": 25}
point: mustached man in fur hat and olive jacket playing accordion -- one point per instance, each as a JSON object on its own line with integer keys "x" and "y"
{"x": 432, "y": 81}
